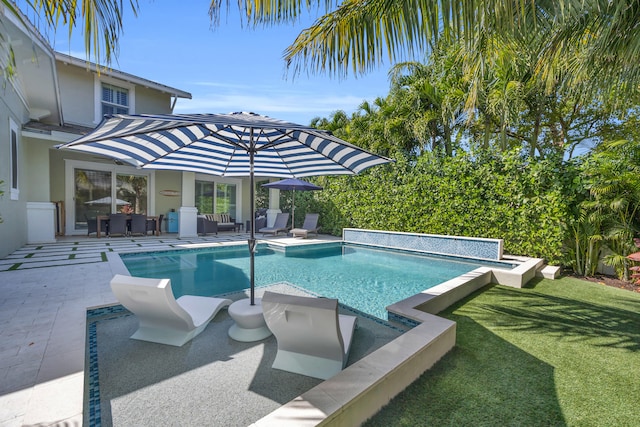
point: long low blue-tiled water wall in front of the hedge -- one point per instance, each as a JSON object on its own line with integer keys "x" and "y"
{"x": 470, "y": 247}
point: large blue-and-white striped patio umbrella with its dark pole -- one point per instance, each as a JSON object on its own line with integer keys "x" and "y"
{"x": 236, "y": 144}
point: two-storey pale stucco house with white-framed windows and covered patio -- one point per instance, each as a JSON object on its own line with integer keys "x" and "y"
{"x": 53, "y": 98}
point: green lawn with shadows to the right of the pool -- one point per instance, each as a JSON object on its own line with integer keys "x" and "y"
{"x": 557, "y": 353}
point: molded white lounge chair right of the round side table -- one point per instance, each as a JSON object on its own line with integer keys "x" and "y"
{"x": 313, "y": 339}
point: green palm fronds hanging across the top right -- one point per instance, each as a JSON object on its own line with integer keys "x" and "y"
{"x": 600, "y": 36}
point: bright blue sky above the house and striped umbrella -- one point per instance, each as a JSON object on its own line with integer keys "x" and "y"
{"x": 227, "y": 68}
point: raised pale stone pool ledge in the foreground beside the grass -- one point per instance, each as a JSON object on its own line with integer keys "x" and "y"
{"x": 363, "y": 388}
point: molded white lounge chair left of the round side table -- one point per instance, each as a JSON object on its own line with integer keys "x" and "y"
{"x": 164, "y": 319}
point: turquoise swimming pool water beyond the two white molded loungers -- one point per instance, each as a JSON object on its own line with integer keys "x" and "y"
{"x": 364, "y": 278}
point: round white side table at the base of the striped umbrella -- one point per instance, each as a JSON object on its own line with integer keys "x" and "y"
{"x": 249, "y": 321}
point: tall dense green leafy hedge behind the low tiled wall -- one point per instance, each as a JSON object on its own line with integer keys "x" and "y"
{"x": 528, "y": 204}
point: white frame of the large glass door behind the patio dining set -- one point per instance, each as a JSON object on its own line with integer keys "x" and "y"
{"x": 69, "y": 190}
